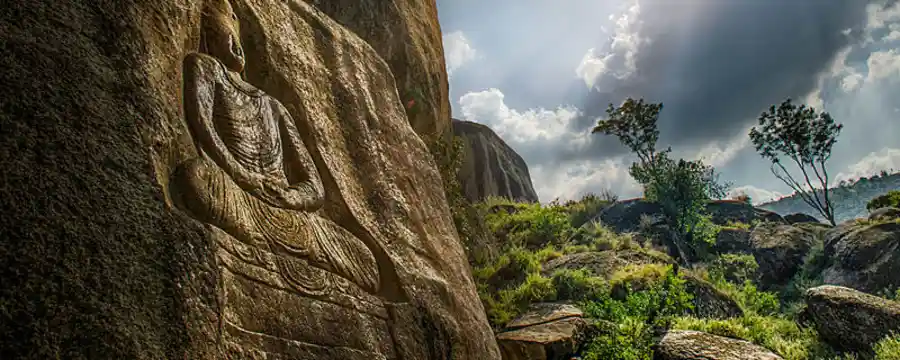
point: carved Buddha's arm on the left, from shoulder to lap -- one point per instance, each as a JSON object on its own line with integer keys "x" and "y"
{"x": 201, "y": 74}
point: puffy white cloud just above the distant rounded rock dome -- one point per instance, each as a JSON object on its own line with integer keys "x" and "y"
{"x": 522, "y": 127}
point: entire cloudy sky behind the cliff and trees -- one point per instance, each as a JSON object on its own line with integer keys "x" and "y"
{"x": 541, "y": 72}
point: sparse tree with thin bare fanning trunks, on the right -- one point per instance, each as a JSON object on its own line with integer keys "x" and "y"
{"x": 798, "y": 134}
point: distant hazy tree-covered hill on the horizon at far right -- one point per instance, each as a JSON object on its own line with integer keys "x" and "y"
{"x": 849, "y": 200}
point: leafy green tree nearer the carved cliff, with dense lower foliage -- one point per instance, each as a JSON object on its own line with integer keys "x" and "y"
{"x": 682, "y": 188}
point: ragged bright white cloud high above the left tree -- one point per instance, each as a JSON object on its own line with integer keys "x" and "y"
{"x": 620, "y": 59}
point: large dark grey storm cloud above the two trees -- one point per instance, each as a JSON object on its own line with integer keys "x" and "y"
{"x": 717, "y": 64}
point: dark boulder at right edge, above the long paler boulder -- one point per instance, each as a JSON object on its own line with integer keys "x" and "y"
{"x": 865, "y": 257}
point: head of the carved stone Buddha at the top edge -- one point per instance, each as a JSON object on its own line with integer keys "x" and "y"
{"x": 221, "y": 29}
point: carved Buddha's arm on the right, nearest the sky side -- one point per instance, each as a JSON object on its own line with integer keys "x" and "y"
{"x": 305, "y": 192}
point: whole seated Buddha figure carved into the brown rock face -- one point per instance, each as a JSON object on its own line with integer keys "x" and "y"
{"x": 254, "y": 177}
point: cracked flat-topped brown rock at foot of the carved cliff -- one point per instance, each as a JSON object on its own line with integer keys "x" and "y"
{"x": 547, "y": 332}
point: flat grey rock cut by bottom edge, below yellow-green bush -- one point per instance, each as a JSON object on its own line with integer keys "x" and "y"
{"x": 687, "y": 344}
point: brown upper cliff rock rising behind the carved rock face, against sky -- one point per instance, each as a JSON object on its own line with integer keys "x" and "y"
{"x": 407, "y": 35}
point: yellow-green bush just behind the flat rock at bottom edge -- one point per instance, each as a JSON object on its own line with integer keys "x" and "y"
{"x": 782, "y": 336}
